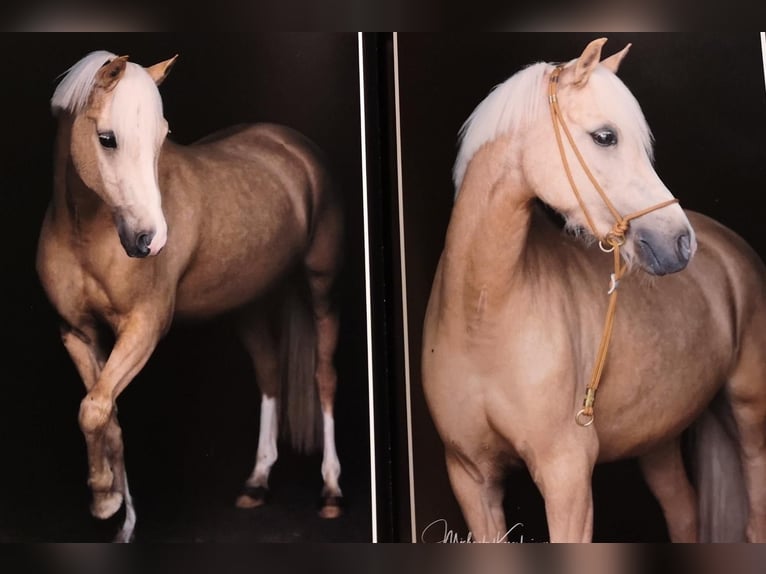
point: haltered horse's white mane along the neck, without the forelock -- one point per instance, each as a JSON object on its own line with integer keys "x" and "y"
{"x": 507, "y": 108}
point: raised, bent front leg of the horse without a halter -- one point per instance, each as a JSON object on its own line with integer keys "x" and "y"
{"x": 137, "y": 336}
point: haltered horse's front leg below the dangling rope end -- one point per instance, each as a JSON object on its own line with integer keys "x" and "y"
{"x": 563, "y": 473}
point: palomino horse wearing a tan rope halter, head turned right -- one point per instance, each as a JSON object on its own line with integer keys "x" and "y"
{"x": 517, "y": 310}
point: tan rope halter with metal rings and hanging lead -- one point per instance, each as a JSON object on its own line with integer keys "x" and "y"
{"x": 615, "y": 238}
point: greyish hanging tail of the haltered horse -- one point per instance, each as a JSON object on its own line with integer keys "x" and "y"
{"x": 717, "y": 473}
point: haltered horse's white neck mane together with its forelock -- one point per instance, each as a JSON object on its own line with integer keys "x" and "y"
{"x": 520, "y": 100}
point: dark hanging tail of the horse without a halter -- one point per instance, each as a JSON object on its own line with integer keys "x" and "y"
{"x": 299, "y": 400}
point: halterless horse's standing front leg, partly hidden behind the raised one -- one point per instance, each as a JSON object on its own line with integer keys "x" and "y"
{"x": 89, "y": 358}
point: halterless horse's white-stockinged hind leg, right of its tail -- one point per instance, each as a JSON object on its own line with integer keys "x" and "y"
{"x": 322, "y": 261}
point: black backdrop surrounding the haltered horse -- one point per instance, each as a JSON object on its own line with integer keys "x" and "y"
{"x": 703, "y": 96}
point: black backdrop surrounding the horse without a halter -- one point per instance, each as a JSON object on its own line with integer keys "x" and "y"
{"x": 190, "y": 419}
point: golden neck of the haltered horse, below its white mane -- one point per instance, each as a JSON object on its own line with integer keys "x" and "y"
{"x": 489, "y": 230}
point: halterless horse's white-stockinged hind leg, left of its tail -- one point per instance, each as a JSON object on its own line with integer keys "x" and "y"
{"x": 259, "y": 340}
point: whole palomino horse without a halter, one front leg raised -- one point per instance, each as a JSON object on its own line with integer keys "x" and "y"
{"x": 141, "y": 230}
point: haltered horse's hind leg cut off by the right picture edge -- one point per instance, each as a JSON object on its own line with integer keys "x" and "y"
{"x": 747, "y": 392}
